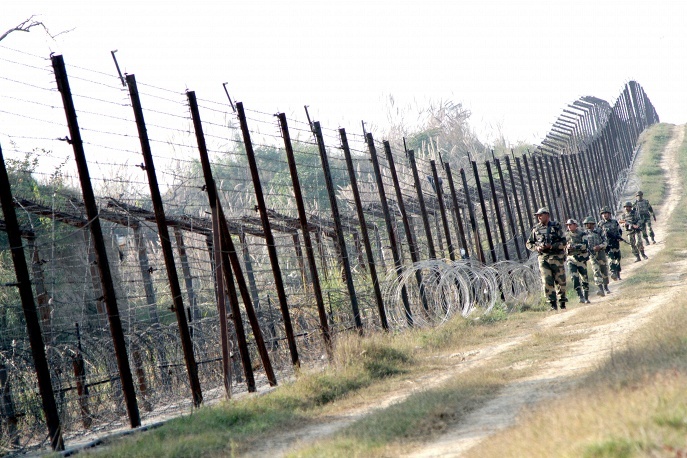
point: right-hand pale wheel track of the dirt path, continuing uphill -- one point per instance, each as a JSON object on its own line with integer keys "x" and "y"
{"x": 558, "y": 376}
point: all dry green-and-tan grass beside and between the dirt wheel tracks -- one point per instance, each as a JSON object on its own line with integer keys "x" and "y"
{"x": 364, "y": 370}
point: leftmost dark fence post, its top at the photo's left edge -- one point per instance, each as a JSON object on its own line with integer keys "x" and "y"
{"x": 33, "y": 326}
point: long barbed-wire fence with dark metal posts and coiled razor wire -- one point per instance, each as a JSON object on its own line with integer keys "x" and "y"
{"x": 200, "y": 249}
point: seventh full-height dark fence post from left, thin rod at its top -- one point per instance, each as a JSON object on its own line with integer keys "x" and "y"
{"x": 341, "y": 242}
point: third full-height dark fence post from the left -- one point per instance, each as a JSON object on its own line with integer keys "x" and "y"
{"x": 166, "y": 244}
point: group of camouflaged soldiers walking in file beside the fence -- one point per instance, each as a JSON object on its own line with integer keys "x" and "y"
{"x": 598, "y": 242}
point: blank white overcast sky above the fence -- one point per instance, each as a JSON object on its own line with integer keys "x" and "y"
{"x": 514, "y": 64}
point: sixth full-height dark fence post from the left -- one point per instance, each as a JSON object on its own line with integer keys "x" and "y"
{"x": 303, "y": 220}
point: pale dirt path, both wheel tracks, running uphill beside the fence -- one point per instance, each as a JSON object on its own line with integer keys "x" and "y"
{"x": 554, "y": 378}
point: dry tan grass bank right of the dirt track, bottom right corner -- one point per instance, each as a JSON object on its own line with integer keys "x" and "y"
{"x": 633, "y": 405}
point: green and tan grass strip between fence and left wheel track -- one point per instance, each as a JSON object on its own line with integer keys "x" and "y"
{"x": 362, "y": 370}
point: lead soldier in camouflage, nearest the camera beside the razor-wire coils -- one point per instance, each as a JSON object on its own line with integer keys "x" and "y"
{"x": 548, "y": 241}
